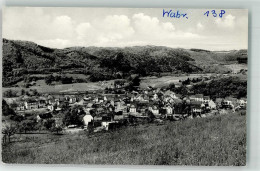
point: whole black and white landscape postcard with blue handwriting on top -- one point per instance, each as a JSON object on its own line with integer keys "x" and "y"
{"x": 124, "y": 86}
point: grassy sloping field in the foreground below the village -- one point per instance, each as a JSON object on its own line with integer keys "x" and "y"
{"x": 217, "y": 140}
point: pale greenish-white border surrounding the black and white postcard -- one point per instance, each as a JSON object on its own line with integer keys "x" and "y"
{"x": 253, "y": 111}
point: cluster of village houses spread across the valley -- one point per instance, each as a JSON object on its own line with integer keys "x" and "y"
{"x": 104, "y": 110}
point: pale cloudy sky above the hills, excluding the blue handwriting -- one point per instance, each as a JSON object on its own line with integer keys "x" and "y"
{"x": 120, "y": 27}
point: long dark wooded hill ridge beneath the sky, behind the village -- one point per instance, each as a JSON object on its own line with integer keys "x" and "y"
{"x": 21, "y": 58}
